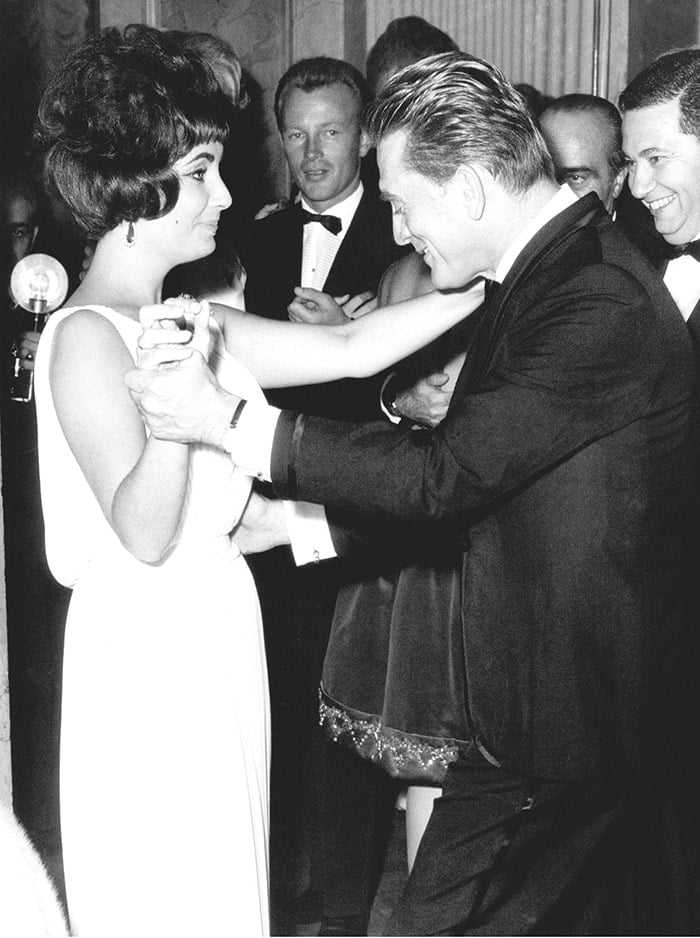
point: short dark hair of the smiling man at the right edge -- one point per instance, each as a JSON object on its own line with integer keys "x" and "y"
{"x": 671, "y": 76}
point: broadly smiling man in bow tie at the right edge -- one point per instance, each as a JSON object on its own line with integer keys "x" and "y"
{"x": 661, "y": 139}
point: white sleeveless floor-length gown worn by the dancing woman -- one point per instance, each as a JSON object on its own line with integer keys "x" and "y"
{"x": 165, "y": 722}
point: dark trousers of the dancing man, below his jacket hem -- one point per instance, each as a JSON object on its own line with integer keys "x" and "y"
{"x": 504, "y": 855}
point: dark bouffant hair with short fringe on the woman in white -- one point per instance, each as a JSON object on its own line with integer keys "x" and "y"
{"x": 116, "y": 118}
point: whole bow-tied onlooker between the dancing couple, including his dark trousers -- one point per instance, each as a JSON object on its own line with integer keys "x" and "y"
{"x": 330, "y": 811}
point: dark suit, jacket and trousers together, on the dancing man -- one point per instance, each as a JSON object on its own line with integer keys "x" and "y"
{"x": 565, "y": 461}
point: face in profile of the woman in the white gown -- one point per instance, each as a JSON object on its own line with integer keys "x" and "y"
{"x": 187, "y": 232}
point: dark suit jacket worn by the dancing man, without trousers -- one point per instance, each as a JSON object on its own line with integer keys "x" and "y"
{"x": 565, "y": 462}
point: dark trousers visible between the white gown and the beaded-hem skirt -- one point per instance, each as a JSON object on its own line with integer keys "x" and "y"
{"x": 330, "y": 810}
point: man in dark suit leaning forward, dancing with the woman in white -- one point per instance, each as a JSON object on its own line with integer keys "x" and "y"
{"x": 565, "y": 461}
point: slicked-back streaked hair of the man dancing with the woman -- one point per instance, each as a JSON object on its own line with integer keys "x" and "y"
{"x": 457, "y": 109}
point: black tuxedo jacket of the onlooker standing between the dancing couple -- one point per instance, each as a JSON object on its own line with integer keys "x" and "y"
{"x": 272, "y": 259}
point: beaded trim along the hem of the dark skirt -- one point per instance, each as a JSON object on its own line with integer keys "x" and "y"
{"x": 400, "y": 754}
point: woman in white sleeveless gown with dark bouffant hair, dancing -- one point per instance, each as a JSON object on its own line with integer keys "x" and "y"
{"x": 164, "y": 748}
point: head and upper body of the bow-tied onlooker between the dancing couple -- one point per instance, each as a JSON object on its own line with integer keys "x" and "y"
{"x": 337, "y": 237}
